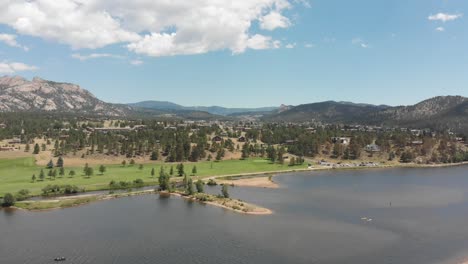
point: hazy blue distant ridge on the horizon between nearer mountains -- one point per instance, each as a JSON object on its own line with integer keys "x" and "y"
{"x": 215, "y": 110}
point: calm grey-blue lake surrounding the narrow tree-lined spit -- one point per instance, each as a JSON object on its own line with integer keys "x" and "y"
{"x": 418, "y": 216}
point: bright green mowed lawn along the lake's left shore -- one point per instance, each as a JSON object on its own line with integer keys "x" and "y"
{"x": 15, "y": 174}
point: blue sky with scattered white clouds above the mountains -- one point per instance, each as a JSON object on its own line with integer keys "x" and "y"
{"x": 243, "y": 53}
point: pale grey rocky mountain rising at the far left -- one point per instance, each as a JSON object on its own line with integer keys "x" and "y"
{"x": 20, "y": 94}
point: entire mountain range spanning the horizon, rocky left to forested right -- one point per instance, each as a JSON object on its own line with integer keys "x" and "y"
{"x": 442, "y": 112}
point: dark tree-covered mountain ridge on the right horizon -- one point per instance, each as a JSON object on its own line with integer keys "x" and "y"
{"x": 439, "y": 112}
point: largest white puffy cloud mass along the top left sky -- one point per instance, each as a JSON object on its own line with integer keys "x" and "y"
{"x": 150, "y": 27}
